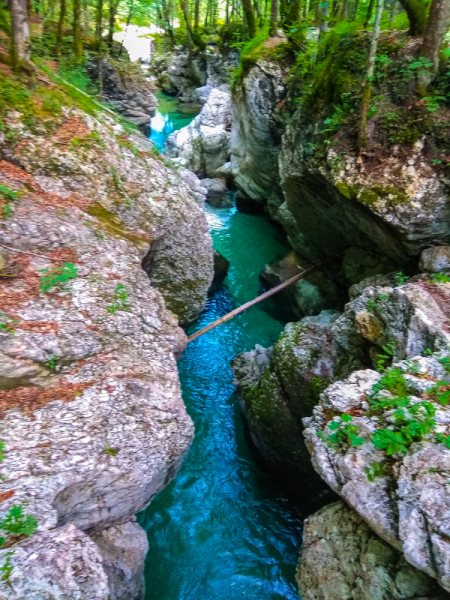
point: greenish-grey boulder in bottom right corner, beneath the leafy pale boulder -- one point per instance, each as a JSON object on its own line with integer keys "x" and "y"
{"x": 342, "y": 559}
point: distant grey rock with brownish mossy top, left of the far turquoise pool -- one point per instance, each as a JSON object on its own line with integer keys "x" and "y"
{"x": 125, "y": 86}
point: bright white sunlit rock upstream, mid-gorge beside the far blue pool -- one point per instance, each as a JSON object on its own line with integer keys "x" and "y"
{"x": 203, "y": 145}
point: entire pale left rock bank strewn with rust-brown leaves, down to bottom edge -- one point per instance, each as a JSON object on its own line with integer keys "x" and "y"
{"x": 91, "y": 412}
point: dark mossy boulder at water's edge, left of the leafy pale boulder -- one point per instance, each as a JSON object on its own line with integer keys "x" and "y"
{"x": 276, "y": 388}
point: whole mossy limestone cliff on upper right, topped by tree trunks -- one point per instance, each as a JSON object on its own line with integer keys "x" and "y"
{"x": 294, "y": 148}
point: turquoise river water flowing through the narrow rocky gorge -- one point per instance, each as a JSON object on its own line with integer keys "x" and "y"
{"x": 222, "y": 529}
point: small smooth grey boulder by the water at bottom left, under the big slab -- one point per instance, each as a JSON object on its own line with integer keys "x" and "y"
{"x": 123, "y": 549}
